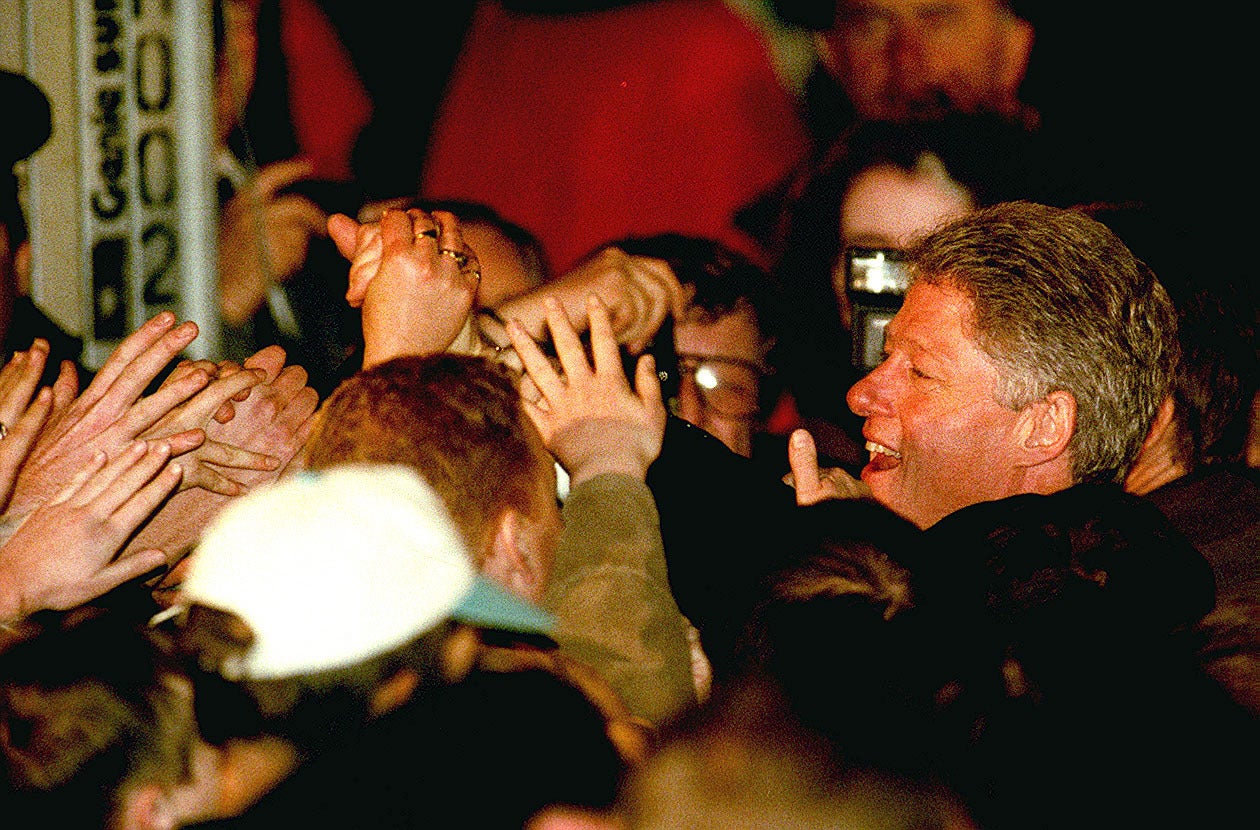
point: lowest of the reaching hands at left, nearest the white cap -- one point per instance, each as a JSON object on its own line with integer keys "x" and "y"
{"x": 65, "y": 554}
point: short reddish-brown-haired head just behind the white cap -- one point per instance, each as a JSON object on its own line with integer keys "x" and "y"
{"x": 454, "y": 420}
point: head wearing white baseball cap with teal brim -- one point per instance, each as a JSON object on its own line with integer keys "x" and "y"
{"x": 313, "y": 591}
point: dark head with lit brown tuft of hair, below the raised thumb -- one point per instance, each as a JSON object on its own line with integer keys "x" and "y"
{"x": 836, "y": 633}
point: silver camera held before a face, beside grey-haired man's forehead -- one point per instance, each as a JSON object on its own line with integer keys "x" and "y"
{"x": 876, "y": 283}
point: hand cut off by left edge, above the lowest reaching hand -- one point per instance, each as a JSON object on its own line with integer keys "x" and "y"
{"x": 21, "y": 418}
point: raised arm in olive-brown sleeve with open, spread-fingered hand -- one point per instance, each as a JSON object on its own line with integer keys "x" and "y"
{"x": 609, "y": 588}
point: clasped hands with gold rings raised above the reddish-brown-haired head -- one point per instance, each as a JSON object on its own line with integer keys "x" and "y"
{"x": 415, "y": 280}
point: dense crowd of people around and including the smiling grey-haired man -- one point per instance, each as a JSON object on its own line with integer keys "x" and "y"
{"x": 873, "y": 474}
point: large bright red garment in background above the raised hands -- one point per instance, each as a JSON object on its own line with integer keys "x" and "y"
{"x": 583, "y": 129}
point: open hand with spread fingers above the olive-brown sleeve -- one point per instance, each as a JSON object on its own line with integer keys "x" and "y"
{"x": 589, "y": 419}
